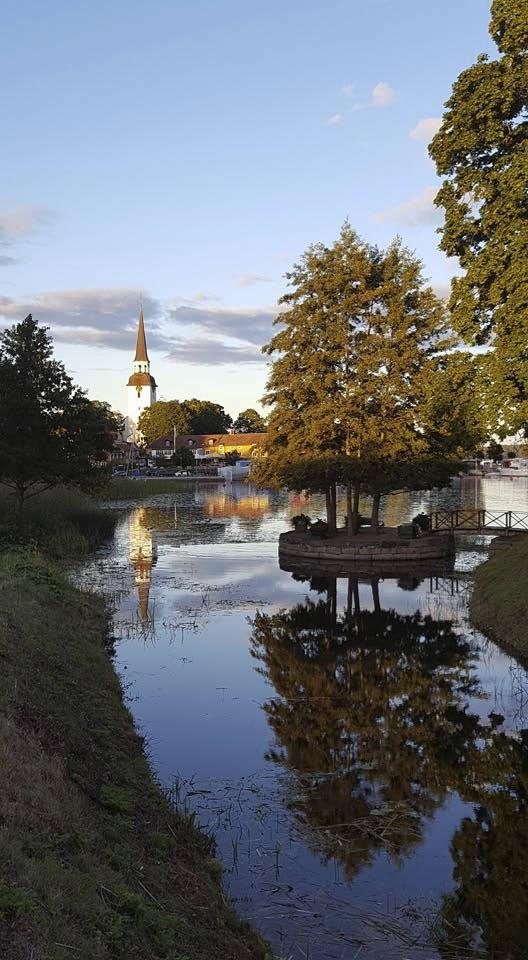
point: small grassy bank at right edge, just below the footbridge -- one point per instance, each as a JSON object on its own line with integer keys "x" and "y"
{"x": 499, "y": 604}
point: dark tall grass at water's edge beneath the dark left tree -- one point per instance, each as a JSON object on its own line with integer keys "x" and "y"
{"x": 60, "y": 523}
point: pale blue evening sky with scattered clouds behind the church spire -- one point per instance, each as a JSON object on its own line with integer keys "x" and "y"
{"x": 188, "y": 151}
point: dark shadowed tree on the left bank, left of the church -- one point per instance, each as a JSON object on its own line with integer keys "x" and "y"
{"x": 50, "y": 432}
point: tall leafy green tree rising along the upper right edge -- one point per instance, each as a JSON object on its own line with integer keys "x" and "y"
{"x": 481, "y": 151}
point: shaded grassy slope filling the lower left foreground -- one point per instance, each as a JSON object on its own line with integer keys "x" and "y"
{"x": 95, "y": 863}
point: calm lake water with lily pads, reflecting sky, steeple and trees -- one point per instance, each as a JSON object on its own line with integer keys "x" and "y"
{"x": 359, "y": 752}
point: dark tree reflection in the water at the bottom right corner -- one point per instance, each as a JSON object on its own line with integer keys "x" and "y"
{"x": 487, "y": 914}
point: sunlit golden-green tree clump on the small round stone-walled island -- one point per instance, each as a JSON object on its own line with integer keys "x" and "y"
{"x": 360, "y": 342}
